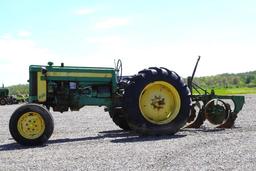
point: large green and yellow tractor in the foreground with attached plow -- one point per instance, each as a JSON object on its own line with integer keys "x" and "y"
{"x": 156, "y": 101}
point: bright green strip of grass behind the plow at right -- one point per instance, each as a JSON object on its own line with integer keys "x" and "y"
{"x": 228, "y": 91}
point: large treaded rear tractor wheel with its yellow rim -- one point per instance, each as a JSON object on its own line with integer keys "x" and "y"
{"x": 156, "y": 102}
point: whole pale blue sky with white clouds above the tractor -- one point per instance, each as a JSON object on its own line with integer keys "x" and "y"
{"x": 142, "y": 33}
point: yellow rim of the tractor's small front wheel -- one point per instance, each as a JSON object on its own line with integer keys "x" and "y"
{"x": 31, "y": 125}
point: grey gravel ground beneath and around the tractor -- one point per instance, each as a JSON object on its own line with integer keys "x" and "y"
{"x": 88, "y": 140}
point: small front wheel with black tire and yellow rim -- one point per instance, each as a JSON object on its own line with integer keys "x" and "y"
{"x": 31, "y": 124}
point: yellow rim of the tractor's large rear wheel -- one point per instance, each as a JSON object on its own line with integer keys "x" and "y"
{"x": 159, "y": 102}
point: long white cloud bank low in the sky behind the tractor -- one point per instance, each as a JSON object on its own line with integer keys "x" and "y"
{"x": 16, "y": 56}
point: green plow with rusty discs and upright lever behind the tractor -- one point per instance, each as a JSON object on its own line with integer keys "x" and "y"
{"x": 220, "y": 111}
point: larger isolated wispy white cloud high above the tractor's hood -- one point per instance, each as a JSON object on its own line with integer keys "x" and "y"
{"x": 111, "y": 23}
